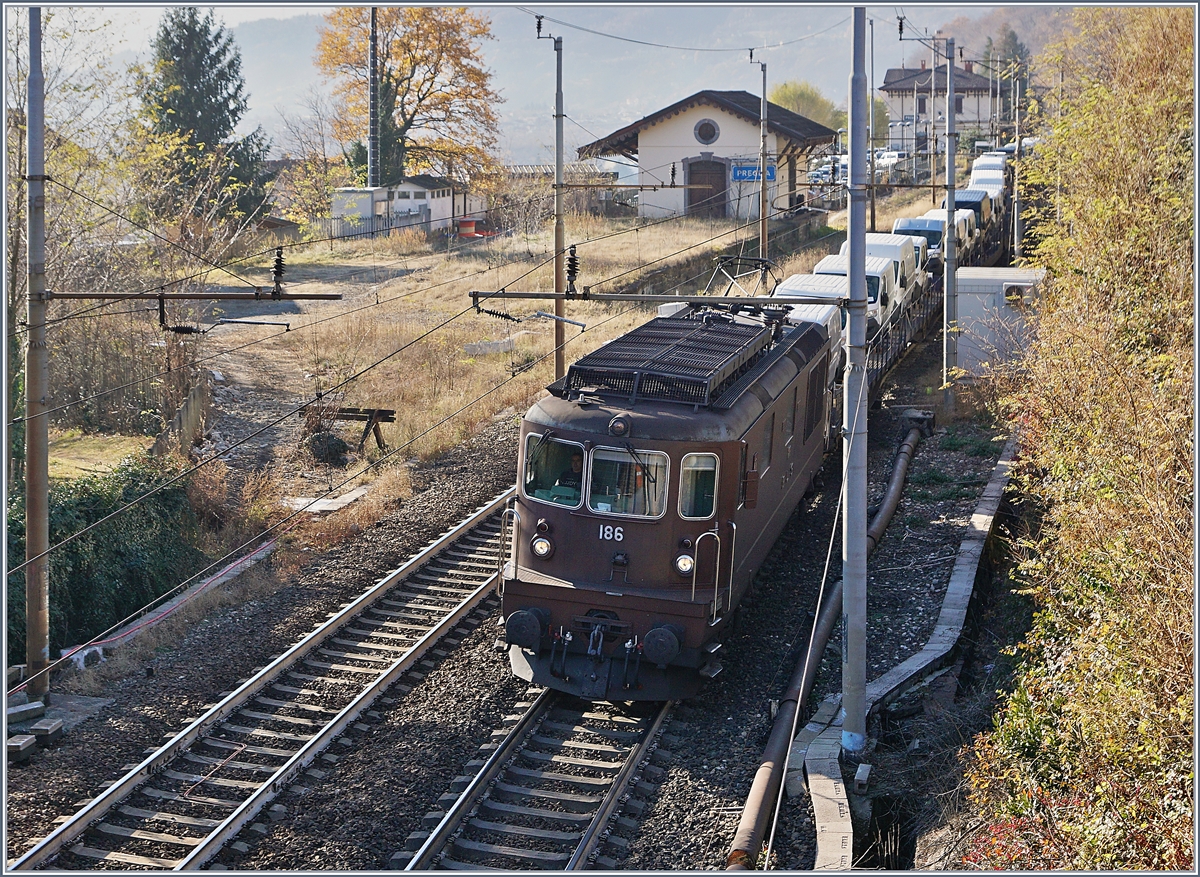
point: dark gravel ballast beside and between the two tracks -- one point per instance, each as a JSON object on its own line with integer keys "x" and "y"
{"x": 410, "y": 752}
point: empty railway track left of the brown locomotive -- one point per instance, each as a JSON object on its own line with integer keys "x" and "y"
{"x": 195, "y": 794}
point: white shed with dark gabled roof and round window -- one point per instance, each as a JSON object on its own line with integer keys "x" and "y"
{"x": 711, "y": 142}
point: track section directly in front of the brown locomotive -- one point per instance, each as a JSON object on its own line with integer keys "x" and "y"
{"x": 545, "y": 796}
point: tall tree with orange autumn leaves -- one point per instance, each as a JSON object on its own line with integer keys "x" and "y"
{"x": 437, "y": 106}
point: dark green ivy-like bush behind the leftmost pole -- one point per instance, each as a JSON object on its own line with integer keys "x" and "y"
{"x": 116, "y": 569}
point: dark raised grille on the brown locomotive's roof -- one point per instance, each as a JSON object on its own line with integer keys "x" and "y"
{"x": 670, "y": 359}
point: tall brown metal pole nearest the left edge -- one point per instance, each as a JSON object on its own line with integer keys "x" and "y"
{"x": 38, "y": 382}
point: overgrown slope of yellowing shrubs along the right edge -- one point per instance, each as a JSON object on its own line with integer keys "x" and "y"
{"x": 1090, "y": 764}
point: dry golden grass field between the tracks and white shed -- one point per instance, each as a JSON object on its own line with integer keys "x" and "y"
{"x": 419, "y": 333}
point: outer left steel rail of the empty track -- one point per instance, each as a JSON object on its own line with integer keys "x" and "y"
{"x": 154, "y": 764}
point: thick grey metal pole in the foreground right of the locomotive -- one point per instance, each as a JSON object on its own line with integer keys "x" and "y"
{"x": 854, "y": 542}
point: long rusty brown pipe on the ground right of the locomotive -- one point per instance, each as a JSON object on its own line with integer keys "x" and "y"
{"x": 765, "y": 790}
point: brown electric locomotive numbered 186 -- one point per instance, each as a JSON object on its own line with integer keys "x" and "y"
{"x": 652, "y": 483}
